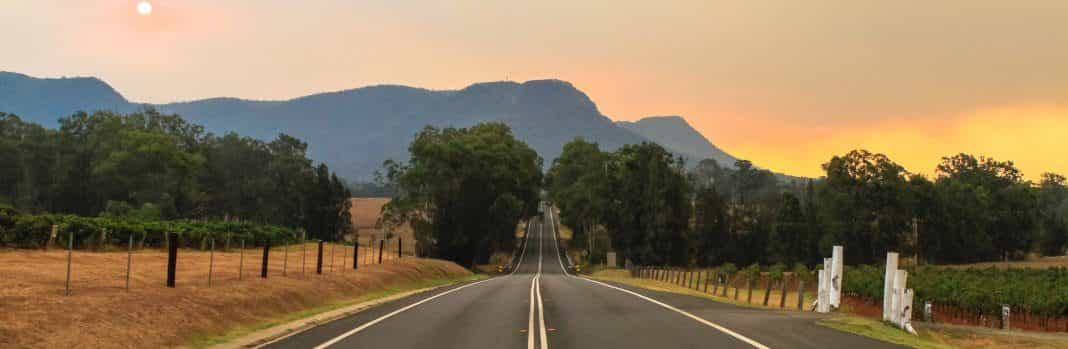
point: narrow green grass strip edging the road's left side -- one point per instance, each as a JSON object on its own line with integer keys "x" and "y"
{"x": 209, "y": 340}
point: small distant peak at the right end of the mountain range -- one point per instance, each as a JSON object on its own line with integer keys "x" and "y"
{"x": 676, "y": 134}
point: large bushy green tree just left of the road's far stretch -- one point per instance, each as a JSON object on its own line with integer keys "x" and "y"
{"x": 464, "y": 191}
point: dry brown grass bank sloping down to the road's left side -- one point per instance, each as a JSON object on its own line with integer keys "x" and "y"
{"x": 102, "y": 314}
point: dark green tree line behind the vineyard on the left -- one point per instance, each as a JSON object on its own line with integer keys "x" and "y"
{"x": 152, "y": 167}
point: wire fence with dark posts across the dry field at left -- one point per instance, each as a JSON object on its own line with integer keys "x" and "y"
{"x": 130, "y": 266}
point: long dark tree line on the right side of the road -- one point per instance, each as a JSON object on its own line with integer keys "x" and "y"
{"x": 645, "y": 203}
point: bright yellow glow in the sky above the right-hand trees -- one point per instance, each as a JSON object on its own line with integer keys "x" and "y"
{"x": 1030, "y": 137}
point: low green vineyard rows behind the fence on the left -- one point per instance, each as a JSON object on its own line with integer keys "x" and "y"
{"x": 35, "y": 231}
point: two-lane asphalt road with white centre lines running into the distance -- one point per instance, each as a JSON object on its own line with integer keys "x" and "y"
{"x": 541, "y": 306}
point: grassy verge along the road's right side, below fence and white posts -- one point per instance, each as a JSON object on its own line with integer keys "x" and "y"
{"x": 930, "y": 338}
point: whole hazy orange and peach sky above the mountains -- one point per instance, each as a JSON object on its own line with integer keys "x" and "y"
{"x": 787, "y": 85}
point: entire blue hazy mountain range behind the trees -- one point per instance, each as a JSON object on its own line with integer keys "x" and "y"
{"x": 355, "y": 131}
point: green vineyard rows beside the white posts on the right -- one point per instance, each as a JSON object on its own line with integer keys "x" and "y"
{"x": 977, "y": 294}
